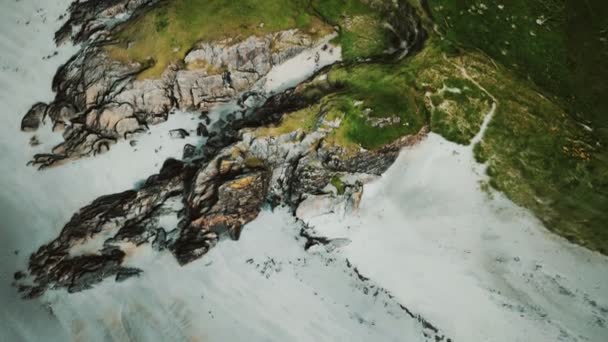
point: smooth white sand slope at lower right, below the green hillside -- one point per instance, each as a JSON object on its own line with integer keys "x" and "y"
{"x": 472, "y": 262}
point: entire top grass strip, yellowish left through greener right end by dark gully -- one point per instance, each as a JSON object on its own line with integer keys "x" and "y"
{"x": 165, "y": 33}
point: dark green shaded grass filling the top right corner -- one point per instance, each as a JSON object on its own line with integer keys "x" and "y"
{"x": 561, "y": 45}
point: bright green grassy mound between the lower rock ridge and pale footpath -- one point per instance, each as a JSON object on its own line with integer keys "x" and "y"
{"x": 377, "y": 103}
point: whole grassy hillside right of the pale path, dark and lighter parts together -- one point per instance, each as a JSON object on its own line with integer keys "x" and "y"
{"x": 547, "y": 153}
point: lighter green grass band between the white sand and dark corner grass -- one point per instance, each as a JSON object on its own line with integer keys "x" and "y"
{"x": 544, "y": 160}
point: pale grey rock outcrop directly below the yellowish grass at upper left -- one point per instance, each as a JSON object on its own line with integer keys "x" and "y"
{"x": 100, "y": 101}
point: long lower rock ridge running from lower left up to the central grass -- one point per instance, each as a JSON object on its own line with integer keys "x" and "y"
{"x": 210, "y": 197}
